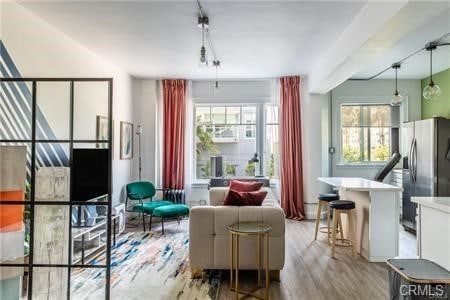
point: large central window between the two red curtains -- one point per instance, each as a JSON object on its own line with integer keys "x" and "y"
{"x": 235, "y": 133}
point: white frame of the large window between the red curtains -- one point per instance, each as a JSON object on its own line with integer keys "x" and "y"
{"x": 260, "y": 131}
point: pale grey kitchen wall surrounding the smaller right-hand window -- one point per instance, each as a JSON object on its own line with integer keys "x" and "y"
{"x": 373, "y": 91}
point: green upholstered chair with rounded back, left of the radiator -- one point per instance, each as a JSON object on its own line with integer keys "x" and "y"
{"x": 142, "y": 193}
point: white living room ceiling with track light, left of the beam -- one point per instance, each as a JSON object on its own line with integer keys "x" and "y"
{"x": 253, "y": 39}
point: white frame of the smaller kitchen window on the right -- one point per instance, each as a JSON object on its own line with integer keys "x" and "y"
{"x": 369, "y": 162}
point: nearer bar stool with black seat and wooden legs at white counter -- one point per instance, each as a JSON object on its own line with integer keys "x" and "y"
{"x": 342, "y": 207}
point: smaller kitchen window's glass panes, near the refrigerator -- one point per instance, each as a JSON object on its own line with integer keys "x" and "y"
{"x": 365, "y": 133}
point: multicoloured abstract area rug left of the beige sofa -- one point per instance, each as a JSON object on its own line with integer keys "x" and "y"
{"x": 147, "y": 266}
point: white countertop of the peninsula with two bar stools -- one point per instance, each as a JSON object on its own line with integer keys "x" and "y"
{"x": 359, "y": 184}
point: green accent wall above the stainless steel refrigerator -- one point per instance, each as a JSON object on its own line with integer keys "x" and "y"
{"x": 441, "y": 105}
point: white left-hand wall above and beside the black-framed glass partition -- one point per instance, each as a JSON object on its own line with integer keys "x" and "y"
{"x": 40, "y": 50}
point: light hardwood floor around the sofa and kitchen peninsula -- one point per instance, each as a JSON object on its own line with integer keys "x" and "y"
{"x": 311, "y": 273}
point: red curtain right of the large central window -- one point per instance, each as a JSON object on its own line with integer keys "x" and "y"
{"x": 291, "y": 174}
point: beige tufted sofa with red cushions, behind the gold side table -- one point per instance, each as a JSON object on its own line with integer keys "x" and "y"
{"x": 209, "y": 238}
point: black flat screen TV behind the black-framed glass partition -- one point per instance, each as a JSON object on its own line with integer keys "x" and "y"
{"x": 89, "y": 173}
